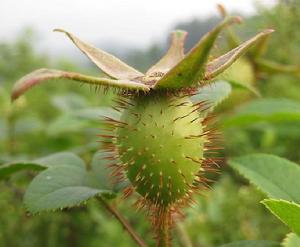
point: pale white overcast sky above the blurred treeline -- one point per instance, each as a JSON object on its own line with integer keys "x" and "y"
{"x": 135, "y": 22}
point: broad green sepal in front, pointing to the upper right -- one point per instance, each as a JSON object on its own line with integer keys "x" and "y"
{"x": 189, "y": 71}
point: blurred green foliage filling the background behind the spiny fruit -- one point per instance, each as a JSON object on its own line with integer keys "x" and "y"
{"x": 47, "y": 121}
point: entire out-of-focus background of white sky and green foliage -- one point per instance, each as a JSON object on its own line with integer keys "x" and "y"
{"x": 62, "y": 116}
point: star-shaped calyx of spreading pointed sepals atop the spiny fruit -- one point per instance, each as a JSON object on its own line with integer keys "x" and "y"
{"x": 174, "y": 71}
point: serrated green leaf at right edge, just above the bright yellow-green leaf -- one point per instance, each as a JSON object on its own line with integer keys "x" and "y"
{"x": 275, "y": 176}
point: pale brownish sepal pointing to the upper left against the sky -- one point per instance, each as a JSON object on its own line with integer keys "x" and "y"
{"x": 109, "y": 64}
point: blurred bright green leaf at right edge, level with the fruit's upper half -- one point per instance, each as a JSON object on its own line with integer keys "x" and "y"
{"x": 271, "y": 110}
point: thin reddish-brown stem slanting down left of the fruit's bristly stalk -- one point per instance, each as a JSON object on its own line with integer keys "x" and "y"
{"x": 126, "y": 225}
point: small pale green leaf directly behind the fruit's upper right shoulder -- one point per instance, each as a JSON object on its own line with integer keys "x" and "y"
{"x": 213, "y": 94}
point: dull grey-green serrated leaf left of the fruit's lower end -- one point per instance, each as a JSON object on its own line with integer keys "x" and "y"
{"x": 60, "y": 187}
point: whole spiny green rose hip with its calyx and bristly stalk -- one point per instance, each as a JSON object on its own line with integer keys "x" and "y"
{"x": 161, "y": 142}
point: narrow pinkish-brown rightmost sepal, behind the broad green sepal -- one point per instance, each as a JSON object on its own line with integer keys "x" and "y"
{"x": 218, "y": 65}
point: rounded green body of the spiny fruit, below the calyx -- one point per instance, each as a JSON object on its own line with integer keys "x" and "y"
{"x": 162, "y": 146}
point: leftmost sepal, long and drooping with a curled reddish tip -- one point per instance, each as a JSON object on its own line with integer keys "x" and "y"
{"x": 38, "y": 76}
